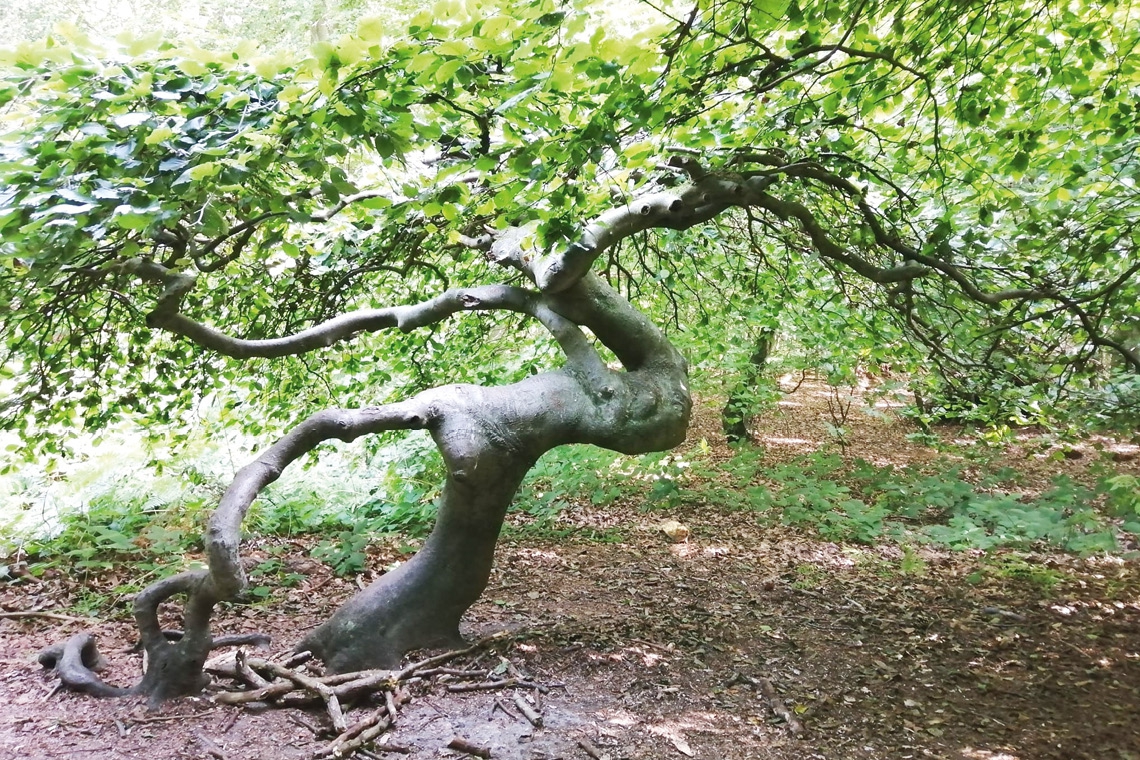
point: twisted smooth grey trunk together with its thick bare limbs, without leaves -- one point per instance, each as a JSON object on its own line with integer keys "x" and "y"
{"x": 490, "y": 439}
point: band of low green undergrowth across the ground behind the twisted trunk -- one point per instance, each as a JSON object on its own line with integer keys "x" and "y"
{"x": 134, "y": 532}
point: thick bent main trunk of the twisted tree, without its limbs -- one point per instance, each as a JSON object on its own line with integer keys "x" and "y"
{"x": 490, "y": 439}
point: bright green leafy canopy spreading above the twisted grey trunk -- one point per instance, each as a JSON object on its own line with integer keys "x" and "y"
{"x": 948, "y": 191}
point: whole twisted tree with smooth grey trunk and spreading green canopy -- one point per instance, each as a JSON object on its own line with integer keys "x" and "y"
{"x": 967, "y": 175}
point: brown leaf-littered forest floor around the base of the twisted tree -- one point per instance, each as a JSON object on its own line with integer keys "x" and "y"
{"x": 659, "y": 649}
